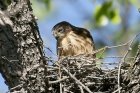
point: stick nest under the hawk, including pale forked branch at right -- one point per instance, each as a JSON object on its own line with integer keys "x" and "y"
{"x": 74, "y": 75}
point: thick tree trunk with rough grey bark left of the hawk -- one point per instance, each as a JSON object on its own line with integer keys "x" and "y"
{"x": 22, "y": 58}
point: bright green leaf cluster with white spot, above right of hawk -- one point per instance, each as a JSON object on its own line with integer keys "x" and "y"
{"x": 106, "y": 12}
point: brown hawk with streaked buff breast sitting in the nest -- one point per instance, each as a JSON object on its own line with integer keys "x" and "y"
{"x": 72, "y": 40}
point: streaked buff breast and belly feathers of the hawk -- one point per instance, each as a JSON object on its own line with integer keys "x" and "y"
{"x": 75, "y": 45}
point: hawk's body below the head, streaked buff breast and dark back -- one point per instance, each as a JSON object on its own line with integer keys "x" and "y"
{"x": 76, "y": 42}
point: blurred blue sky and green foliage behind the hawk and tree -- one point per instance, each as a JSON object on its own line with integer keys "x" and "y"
{"x": 111, "y": 23}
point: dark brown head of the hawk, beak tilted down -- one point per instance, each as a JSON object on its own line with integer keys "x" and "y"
{"x": 61, "y": 29}
